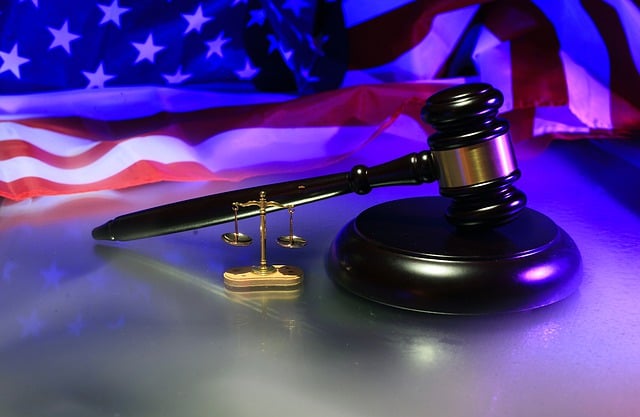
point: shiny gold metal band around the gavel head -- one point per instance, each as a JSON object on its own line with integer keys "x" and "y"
{"x": 475, "y": 164}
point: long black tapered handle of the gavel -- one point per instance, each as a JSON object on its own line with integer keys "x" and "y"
{"x": 414, "y": 168}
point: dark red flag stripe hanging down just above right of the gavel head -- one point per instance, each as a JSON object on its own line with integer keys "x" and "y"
{"x": 537, "y": 71}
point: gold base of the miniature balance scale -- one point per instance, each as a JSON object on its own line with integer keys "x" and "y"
{"x": 249, "y": 278}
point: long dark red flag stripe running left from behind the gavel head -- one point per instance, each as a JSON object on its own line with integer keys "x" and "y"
{"x": 355, "y": 106}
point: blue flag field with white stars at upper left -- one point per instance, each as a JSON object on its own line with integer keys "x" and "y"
{"x": 285, "y": 45}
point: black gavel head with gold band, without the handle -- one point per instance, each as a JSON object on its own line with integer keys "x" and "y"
{"x": 475, "y": 158}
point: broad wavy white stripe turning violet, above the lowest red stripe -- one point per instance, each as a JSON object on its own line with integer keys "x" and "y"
{"x": 231, "y": 150}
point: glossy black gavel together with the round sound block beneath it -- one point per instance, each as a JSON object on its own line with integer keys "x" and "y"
{"x": 476, "y": 249}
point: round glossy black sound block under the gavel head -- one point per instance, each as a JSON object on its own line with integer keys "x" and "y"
{"x": 405, "y": 254}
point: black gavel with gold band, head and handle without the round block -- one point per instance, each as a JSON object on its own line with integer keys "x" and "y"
{"x": 471, "y": 157}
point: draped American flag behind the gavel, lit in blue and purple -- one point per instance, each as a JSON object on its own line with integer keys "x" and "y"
{"x": 117, "y": 93}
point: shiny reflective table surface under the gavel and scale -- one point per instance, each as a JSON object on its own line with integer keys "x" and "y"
{"x": 146, "y": 328}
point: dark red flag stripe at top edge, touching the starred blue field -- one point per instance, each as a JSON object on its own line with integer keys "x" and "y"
{"x": 384, "y": 38}
